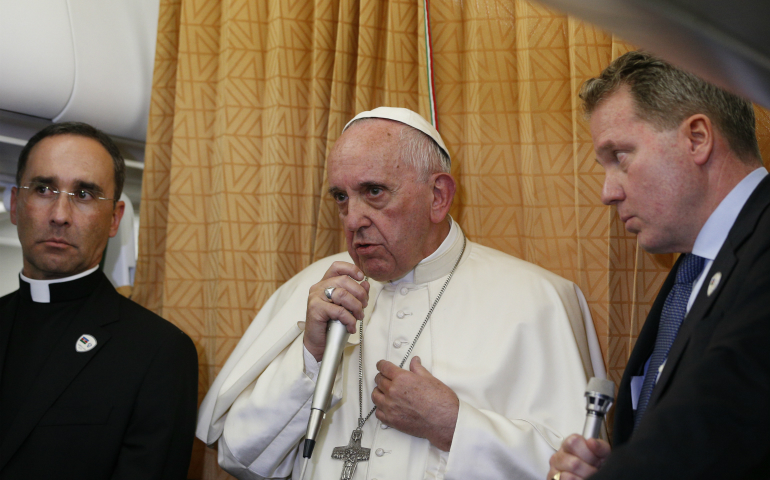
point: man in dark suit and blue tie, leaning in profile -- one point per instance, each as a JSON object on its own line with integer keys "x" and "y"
{"x": 683, "y": 169}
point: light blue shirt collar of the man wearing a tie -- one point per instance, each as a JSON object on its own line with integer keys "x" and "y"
{"x": 714, "y": 232}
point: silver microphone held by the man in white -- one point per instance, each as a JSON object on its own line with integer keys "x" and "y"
{"x": 336, "y": 339}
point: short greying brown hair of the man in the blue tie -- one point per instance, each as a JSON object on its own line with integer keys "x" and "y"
{"x": 665, "y": 96}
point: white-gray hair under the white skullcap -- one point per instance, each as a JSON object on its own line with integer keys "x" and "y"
{"x": 417, "y": 150}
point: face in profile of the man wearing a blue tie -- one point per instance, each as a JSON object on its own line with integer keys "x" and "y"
{"x": 647, "y": 176}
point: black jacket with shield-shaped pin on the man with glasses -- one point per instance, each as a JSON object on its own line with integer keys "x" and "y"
{"x": 123, "y": 410}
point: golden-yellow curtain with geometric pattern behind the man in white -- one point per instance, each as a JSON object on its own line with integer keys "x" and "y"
{"x": 248, "y": 97}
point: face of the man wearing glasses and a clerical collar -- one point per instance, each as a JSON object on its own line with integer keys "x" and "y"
{"x": 59, "y": 239}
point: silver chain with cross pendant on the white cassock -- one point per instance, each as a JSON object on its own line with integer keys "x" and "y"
{"x": 353, "y": 452}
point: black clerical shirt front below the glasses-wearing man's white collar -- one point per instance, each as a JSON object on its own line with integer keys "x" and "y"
{"x": 27, "y": 338}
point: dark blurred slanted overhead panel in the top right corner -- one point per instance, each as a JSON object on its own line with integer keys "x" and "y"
{"x": 728, "y": 43}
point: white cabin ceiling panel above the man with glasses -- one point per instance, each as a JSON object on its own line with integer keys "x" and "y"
{"x": 84, "y": 60}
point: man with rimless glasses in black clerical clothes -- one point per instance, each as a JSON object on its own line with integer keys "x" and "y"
{"x": 92, "y": 386}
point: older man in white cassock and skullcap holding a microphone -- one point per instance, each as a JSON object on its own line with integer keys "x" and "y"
{"x": 463, "y": 362}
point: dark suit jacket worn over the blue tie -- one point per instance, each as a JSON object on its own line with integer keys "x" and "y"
{"x": 709, "y": 415}
